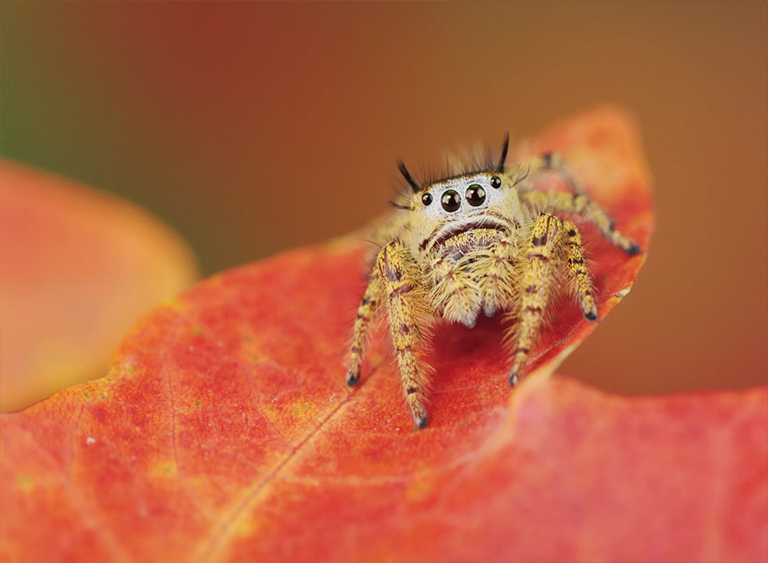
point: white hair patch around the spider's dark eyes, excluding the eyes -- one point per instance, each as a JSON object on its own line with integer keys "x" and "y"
{"x": 460, "y": 186}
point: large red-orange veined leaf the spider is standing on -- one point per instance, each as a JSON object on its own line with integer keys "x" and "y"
{"x": 224, "y": 431}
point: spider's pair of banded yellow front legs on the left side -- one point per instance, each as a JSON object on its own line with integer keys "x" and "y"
{"x": 398, "y": 282}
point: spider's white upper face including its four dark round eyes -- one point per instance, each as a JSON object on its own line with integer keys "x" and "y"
{"x": 460, "y": 199}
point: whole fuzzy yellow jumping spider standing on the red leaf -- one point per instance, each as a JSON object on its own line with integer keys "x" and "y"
{"x": 481, "y": 241}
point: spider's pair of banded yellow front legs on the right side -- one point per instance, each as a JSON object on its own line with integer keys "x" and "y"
{"x": 551, "y": 240}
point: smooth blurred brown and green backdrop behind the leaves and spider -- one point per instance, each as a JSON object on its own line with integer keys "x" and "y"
{"x": 252, "y": 128}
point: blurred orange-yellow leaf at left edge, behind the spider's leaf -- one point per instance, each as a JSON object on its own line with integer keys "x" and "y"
{"x": 79, "y": 268}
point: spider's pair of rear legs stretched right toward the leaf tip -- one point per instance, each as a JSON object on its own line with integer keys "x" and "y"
{"x": 578, "y": 202}
